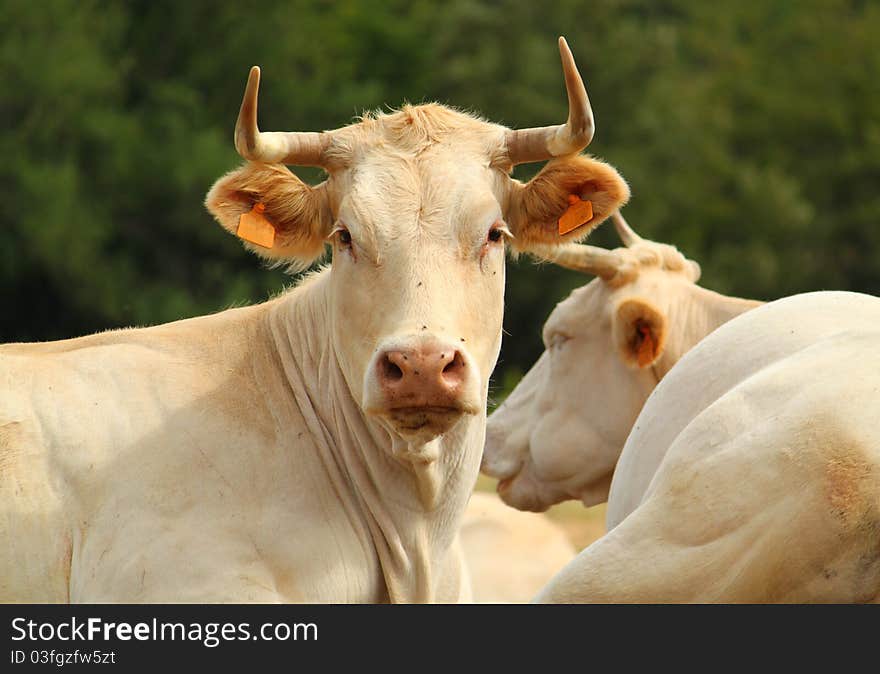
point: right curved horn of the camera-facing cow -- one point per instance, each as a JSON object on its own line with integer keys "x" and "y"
{"x": 538, "y": 144}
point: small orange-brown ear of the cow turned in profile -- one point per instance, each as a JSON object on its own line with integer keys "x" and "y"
{"x": 639, "y": 332}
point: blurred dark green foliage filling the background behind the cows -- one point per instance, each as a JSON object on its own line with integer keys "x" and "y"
{"x": 749, "y": 132}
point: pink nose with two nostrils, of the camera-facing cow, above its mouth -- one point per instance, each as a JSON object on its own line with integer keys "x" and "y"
{"x": 423, "y": 376}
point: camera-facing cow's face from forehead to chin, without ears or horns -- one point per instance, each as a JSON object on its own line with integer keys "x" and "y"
{"x": 418, "y": 284}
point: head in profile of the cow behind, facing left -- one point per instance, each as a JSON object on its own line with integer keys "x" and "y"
{"x": 560, "y": 432}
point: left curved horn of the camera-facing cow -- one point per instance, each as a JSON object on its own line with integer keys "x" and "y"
{"x": 288, "y": 147}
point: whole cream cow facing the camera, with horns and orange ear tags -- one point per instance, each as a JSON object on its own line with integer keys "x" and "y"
{"x": 320, "y": 446}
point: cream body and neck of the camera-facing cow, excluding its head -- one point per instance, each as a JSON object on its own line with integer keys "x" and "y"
{"x": 216, "y": 481}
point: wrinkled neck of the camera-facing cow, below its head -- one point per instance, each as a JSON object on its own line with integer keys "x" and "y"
{"x": 410, "y": 510}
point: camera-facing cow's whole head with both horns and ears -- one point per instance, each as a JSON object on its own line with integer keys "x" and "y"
{"x": 418, "y": 207}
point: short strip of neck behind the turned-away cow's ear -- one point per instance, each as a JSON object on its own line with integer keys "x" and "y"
{"x": 692, "y": 317}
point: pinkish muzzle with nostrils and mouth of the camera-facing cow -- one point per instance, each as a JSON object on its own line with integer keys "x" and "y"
{"x": 421, "y": 387}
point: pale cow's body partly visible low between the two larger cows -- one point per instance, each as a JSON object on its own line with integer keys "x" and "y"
{"x": 510, "y": 554}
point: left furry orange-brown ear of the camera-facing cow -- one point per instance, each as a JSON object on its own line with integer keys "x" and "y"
{"x": 299, "y": 213}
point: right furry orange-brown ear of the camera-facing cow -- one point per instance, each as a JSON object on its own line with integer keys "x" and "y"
{"x": 534, "y": 209}
